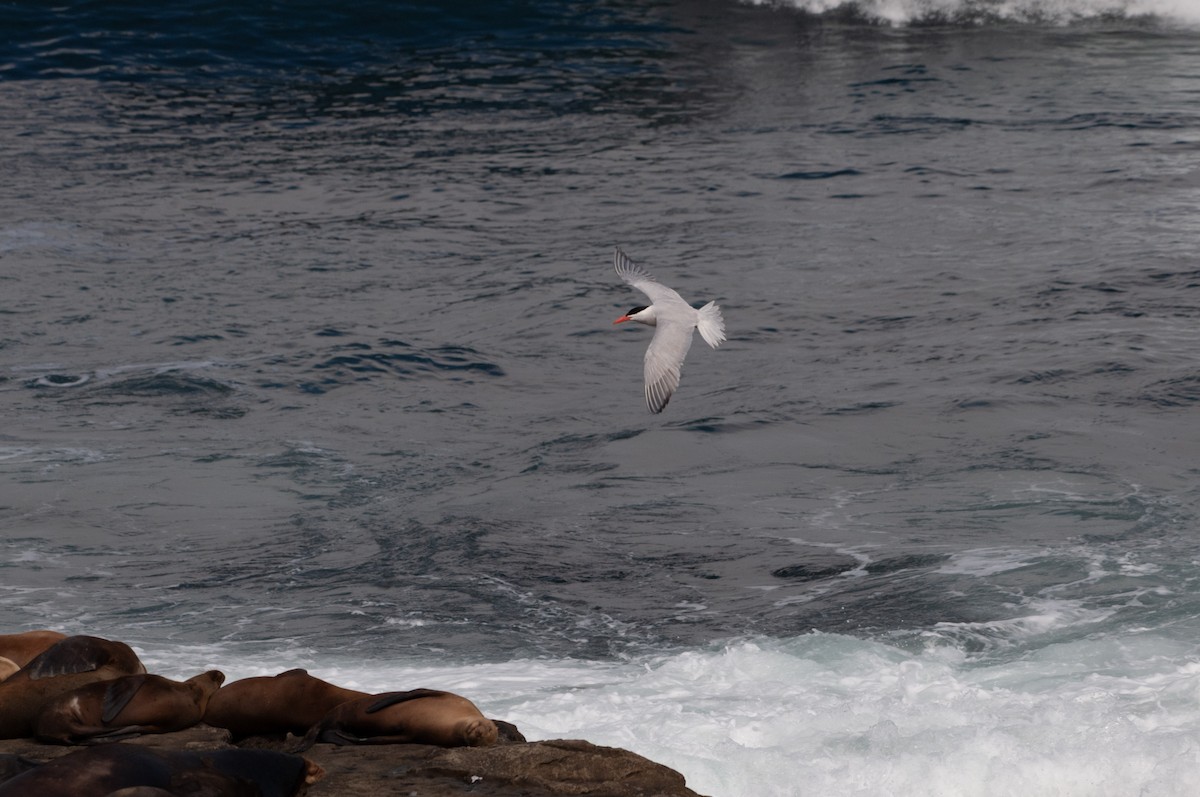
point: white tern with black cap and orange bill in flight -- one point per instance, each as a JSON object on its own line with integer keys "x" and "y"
{"x": 674, "y": 321}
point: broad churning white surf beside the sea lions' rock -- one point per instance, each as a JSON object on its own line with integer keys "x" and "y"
{"x": 830, "y": 715}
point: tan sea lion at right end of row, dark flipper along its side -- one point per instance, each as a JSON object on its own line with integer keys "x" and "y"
{"x": 416, "y": 717}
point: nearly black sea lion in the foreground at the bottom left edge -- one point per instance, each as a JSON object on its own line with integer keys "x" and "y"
{"x": 107, "y": 769}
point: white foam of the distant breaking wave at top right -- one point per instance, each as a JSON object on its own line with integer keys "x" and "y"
{"x": 903, "y": 13}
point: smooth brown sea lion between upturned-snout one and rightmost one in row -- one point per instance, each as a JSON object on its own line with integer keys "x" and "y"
{"x": 292, "y": 702}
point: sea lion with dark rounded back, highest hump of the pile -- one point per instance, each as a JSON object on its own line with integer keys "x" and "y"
{"x": 69, "y": 664}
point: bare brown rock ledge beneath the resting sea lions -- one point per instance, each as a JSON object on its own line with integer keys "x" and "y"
{"x": 506, "y": 770}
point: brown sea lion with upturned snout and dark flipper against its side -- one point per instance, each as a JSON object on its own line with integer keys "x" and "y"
{"x": 125, "y": 708}
